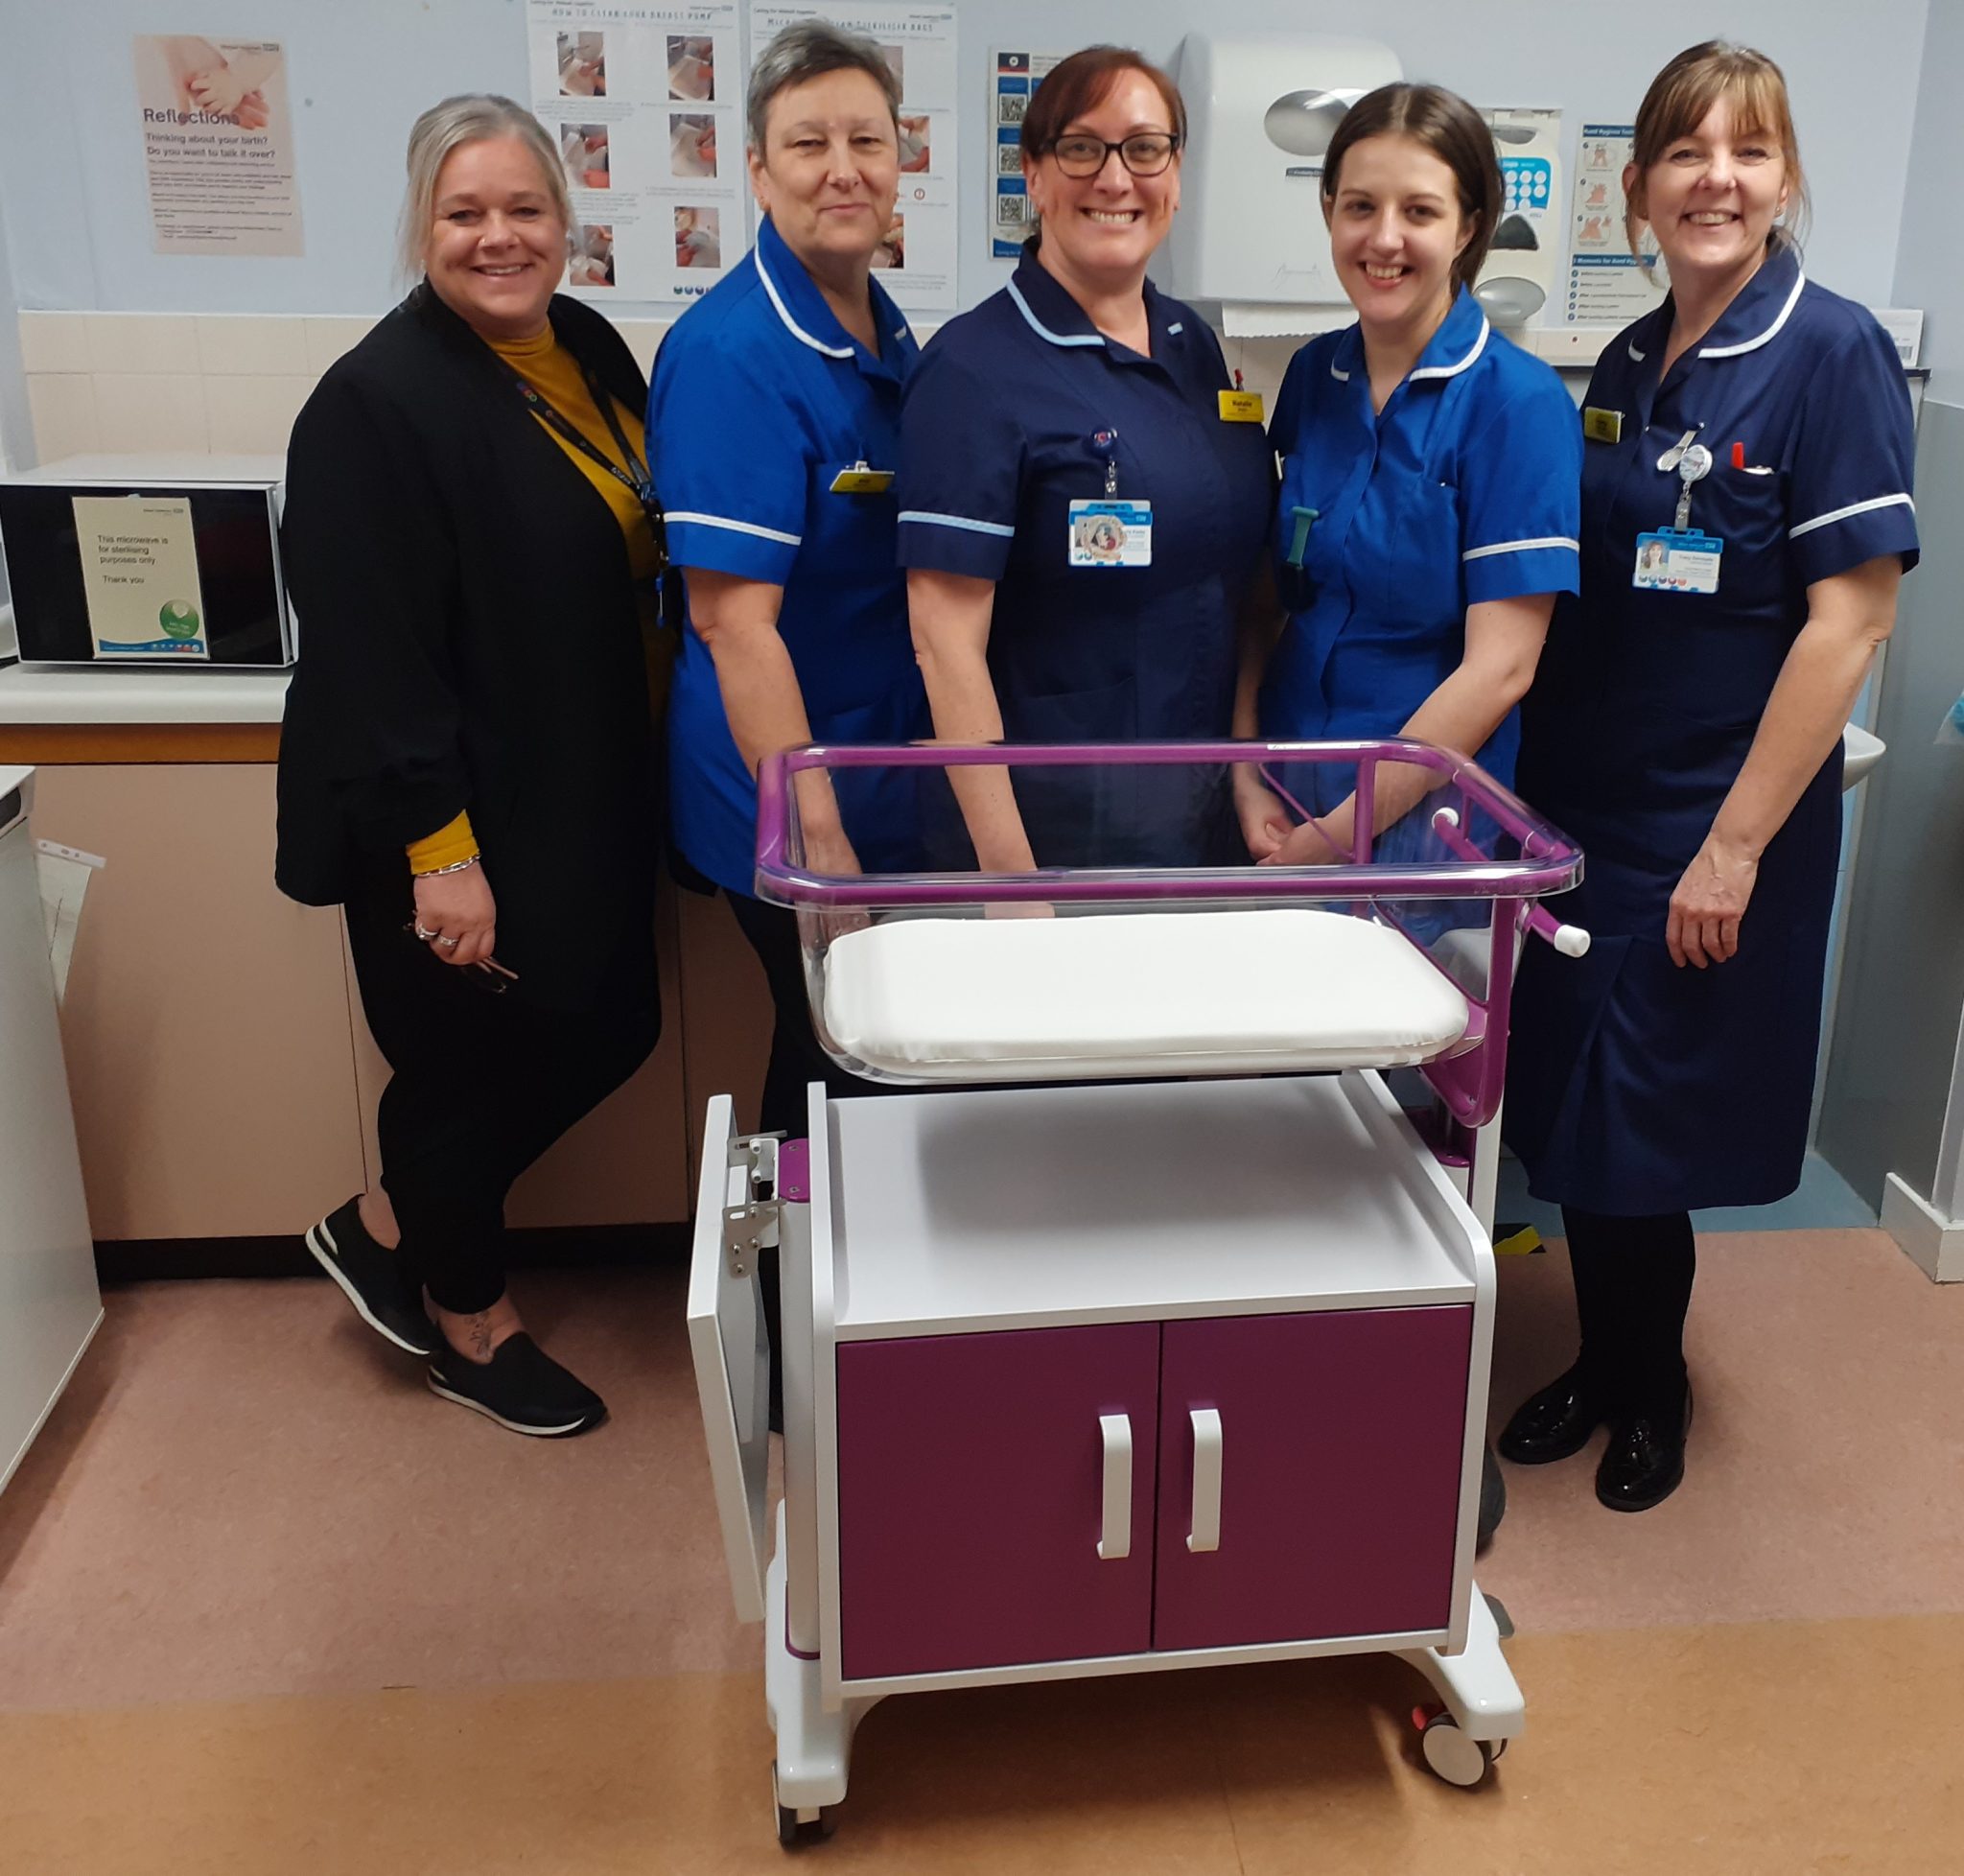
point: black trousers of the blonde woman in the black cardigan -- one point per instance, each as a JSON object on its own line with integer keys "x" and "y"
{"x": 480, "y": 1087}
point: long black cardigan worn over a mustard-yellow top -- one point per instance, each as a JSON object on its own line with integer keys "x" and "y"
{"x": 468, "y": 641}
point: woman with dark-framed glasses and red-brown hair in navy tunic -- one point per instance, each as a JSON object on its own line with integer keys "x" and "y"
{"x": 1085, "y": 498}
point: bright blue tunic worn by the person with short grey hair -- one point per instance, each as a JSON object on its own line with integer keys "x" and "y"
{"x": 763, "y": 408}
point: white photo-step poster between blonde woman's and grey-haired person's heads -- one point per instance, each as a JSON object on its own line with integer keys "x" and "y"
{"x": 645, "y": 105}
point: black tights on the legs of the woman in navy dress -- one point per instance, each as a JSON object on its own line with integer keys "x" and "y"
{"x": 1633, "y": 1292}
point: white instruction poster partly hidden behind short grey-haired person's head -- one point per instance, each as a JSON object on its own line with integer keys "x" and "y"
{"x": 918, "y": 254}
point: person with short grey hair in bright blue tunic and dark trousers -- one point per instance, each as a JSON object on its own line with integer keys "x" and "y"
{"x": 775, "y": 433}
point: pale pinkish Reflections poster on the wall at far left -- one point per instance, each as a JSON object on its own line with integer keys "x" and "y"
{"x": 217, "y": 144}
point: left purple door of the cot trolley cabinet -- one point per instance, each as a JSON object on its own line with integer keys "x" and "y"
{"x": 971, "y": 1498}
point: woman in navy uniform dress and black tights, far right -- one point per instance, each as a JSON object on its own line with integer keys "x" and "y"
{"x": 1688, "y": 732}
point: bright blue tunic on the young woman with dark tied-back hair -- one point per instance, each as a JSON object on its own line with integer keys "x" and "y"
{"x": 1393, "y": 524}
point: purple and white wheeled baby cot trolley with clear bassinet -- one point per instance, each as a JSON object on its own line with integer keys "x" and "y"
{"x": 1093, "y": 1376}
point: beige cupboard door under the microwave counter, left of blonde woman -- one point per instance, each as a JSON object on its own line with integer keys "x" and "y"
{"x": 207, "y": 1026}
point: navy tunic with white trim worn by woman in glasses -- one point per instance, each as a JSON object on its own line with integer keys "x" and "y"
{"x": 1024, "y": 408}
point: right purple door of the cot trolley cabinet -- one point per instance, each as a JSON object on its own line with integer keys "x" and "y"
{"x": 1338, "y": 1474}
